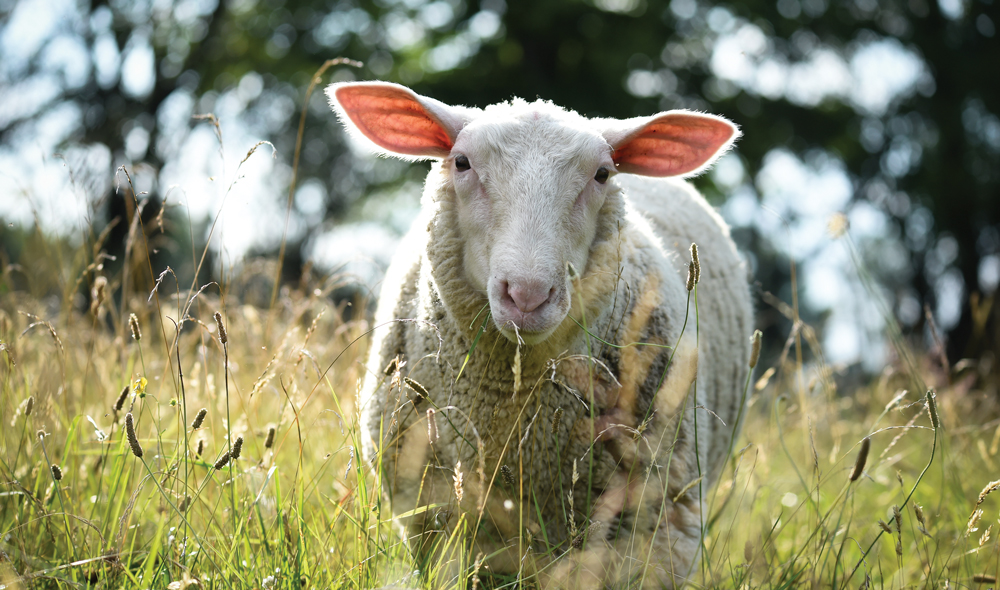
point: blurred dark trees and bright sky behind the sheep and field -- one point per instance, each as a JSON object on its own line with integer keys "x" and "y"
{"x": 883, "y": 114}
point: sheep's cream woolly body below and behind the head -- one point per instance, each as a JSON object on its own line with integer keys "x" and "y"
{"x": 658, "y": 221}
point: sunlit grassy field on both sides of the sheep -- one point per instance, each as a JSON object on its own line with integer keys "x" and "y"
{"x": 86, "y": 504}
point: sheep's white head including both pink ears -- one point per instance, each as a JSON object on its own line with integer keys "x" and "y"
{"x": 529, "y": 181}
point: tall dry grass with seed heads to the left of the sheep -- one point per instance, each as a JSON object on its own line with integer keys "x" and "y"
{"x": 145, "y": 511}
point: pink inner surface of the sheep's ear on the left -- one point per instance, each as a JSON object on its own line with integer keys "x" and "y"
{"x": 394, "y": 120}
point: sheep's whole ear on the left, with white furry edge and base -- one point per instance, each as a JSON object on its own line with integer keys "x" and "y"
{"x": 396, "y": 119}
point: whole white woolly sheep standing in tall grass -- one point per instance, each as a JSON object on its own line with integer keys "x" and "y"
{"x": 529, "y": 398}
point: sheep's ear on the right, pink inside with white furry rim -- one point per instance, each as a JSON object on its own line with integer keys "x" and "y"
{"x": 675, "y": 143}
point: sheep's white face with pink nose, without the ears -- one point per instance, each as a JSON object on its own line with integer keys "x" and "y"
{"x": 528, "y": 187}
